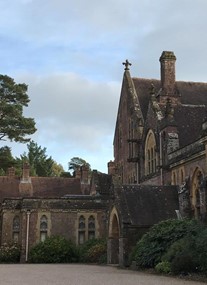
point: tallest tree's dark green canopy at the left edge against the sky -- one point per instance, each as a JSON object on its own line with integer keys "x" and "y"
{"x": 13, "y": 97}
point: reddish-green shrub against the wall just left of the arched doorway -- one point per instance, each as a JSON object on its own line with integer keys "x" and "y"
{"x": 93, "y": 251}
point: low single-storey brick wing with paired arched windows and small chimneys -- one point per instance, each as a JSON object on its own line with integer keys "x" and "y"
{"x": 33, "y": 208}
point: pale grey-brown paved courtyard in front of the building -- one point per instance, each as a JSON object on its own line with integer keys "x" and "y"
{"x": 75, "y": 274}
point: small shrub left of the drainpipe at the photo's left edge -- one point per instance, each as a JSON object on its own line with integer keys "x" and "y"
{"x": 9, "y": 253}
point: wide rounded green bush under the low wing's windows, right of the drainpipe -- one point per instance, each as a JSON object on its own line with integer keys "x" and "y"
{"x": 54, "y": 249}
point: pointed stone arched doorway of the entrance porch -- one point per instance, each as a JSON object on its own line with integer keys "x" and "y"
{"x": 113, "y": 238}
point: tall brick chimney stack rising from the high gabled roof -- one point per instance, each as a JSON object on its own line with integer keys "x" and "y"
{"x": 167, "y": 61}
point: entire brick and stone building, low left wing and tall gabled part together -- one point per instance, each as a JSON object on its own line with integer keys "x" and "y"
{"x": 159, "y": 172}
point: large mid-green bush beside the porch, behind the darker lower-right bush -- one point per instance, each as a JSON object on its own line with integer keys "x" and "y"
{"x": 150, "y": 249}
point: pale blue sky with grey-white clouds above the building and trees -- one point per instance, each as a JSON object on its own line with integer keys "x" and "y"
{"x": 70, "y": 54}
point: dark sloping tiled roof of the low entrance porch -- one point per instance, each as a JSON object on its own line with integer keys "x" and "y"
{"x": 146, "y": 205}
